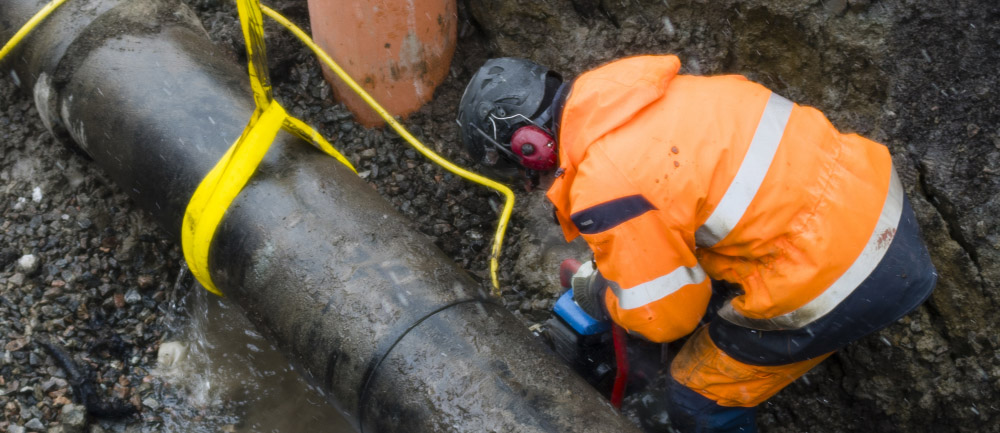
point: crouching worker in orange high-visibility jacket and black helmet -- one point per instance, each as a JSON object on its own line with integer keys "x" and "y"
{"x": 677, "y": 180}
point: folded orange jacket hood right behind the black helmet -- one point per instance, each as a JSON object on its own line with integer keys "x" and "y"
{"x": 600, "y": 101}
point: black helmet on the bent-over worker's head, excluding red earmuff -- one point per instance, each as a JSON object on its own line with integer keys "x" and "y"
{"x": 505, "y": 95}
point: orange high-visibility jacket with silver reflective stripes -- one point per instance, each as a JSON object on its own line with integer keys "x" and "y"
{"x": 673, "y": 179}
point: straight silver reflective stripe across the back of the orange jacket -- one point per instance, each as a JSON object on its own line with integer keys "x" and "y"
{"x": 751, "y": 173}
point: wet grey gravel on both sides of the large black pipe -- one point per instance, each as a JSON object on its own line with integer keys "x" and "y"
{"x": 84, "y": 270}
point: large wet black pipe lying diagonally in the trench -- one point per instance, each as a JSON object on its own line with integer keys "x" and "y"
{"x": 396, "y": 334}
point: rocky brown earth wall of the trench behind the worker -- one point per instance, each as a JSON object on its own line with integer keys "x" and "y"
{"x": 918, "y": 77}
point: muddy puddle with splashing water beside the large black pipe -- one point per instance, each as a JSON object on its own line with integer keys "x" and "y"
{"x": 221, "y": 375}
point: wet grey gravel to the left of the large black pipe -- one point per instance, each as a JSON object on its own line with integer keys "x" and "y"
{"x": 82, "y": 270}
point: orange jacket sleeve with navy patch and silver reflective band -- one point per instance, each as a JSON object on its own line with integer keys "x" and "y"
{"x": 658, "y": 290}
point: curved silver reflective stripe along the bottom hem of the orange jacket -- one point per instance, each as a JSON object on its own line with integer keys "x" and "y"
{"x": 867, "y": 261}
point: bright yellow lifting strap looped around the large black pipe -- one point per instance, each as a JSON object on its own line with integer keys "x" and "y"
{"x": 225, "y": 181}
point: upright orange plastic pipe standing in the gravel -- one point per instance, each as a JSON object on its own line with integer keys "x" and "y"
{"x": 397, "y": 50}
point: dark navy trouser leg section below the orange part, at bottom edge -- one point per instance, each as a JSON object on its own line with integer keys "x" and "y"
{"x": 692, "y": 412}
